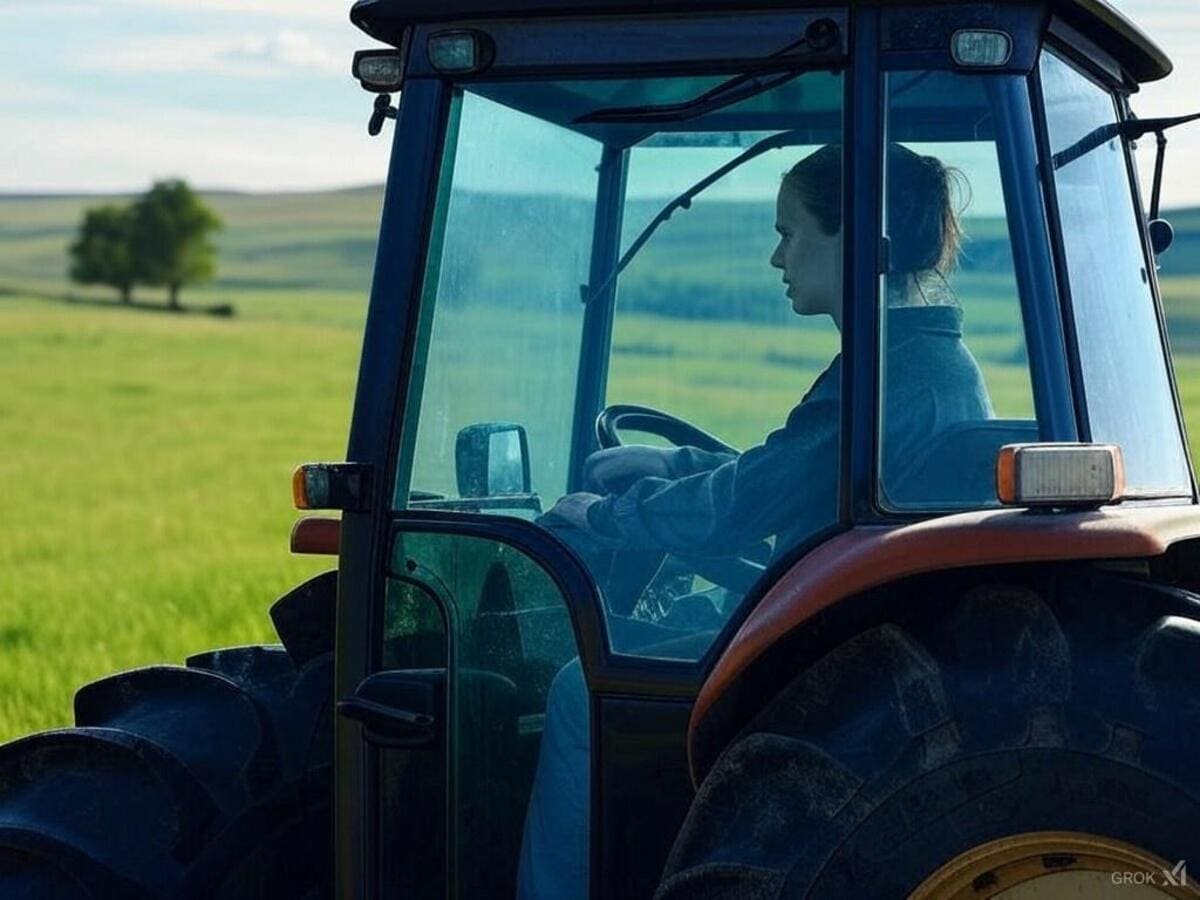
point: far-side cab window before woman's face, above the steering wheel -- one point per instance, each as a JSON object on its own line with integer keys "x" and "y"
{"x": 704, "y": 326}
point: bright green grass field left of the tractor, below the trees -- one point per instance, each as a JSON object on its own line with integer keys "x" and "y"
{"x": 147, "y": 469}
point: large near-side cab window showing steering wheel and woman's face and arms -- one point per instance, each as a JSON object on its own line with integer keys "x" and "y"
{"x": 721, "y": 325}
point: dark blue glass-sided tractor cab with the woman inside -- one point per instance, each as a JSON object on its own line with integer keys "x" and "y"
{"x": 667, "y": 299}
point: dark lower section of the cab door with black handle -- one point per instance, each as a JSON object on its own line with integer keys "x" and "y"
{"x": 477, "y": 629}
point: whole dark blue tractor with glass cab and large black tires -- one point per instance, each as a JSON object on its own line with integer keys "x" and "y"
{"x": 767, "y": 479}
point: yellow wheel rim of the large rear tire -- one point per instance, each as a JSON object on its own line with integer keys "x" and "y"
{"x": 1057, "y": 866}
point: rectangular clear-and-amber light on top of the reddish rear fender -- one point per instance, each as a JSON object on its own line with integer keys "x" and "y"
{"x": 1066, "y": 476}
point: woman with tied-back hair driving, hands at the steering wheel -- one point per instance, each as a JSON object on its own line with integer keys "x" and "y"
{"x": 700, "y": 503}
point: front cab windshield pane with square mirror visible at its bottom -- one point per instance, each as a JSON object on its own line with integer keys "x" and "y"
{"x": 502, "y": 315}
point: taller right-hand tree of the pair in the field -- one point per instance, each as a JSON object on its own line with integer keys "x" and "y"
{"x": 172, "y": 227}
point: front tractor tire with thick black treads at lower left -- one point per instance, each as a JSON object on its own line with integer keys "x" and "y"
{"x": 207, "y": 781}
